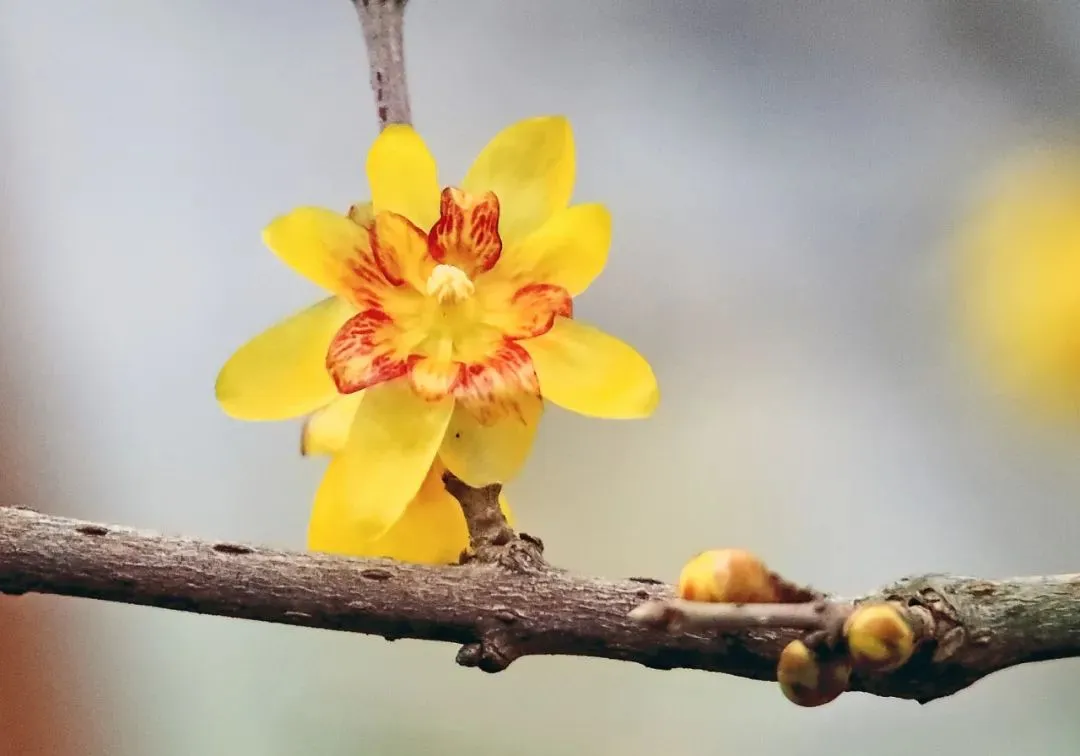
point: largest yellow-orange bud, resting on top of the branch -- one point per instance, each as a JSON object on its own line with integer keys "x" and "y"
{"x": 731, "y": 576}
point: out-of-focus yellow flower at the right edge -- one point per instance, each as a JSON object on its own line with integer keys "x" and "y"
{"x": 1021, "y": 279}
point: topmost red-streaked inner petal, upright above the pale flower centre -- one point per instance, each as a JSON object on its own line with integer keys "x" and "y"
{"x": 467, "y": 233}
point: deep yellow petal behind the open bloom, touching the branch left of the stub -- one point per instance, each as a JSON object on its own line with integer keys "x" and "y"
{"x": 433, "y": 531}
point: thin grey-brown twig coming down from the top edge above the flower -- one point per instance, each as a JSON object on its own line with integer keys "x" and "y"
{"x": 384, "y": 25}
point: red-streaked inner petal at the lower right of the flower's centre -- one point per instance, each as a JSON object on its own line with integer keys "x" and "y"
{"x": 494, "y": 386}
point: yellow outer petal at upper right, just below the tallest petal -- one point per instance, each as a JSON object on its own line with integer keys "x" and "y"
{"x": 569, "y": 251}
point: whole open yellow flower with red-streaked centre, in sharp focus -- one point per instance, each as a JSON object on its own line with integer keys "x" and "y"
{"x": 452, "y": 316}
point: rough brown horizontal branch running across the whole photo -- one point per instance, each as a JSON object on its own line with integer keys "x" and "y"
{"x": 968, "y": 628}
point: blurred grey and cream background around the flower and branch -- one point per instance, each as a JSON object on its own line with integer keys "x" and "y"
{"x": 788, "y": 181}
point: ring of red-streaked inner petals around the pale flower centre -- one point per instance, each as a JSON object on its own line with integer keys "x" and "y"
{"x": 368, "y": 349}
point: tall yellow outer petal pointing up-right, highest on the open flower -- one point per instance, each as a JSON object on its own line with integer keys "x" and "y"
{"x": 531, "y": 168}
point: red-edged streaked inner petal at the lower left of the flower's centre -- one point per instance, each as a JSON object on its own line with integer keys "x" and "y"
{"x": 368, "y": 350}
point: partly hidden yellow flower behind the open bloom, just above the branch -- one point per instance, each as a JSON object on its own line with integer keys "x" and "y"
{"x": 431, "y": 530}
